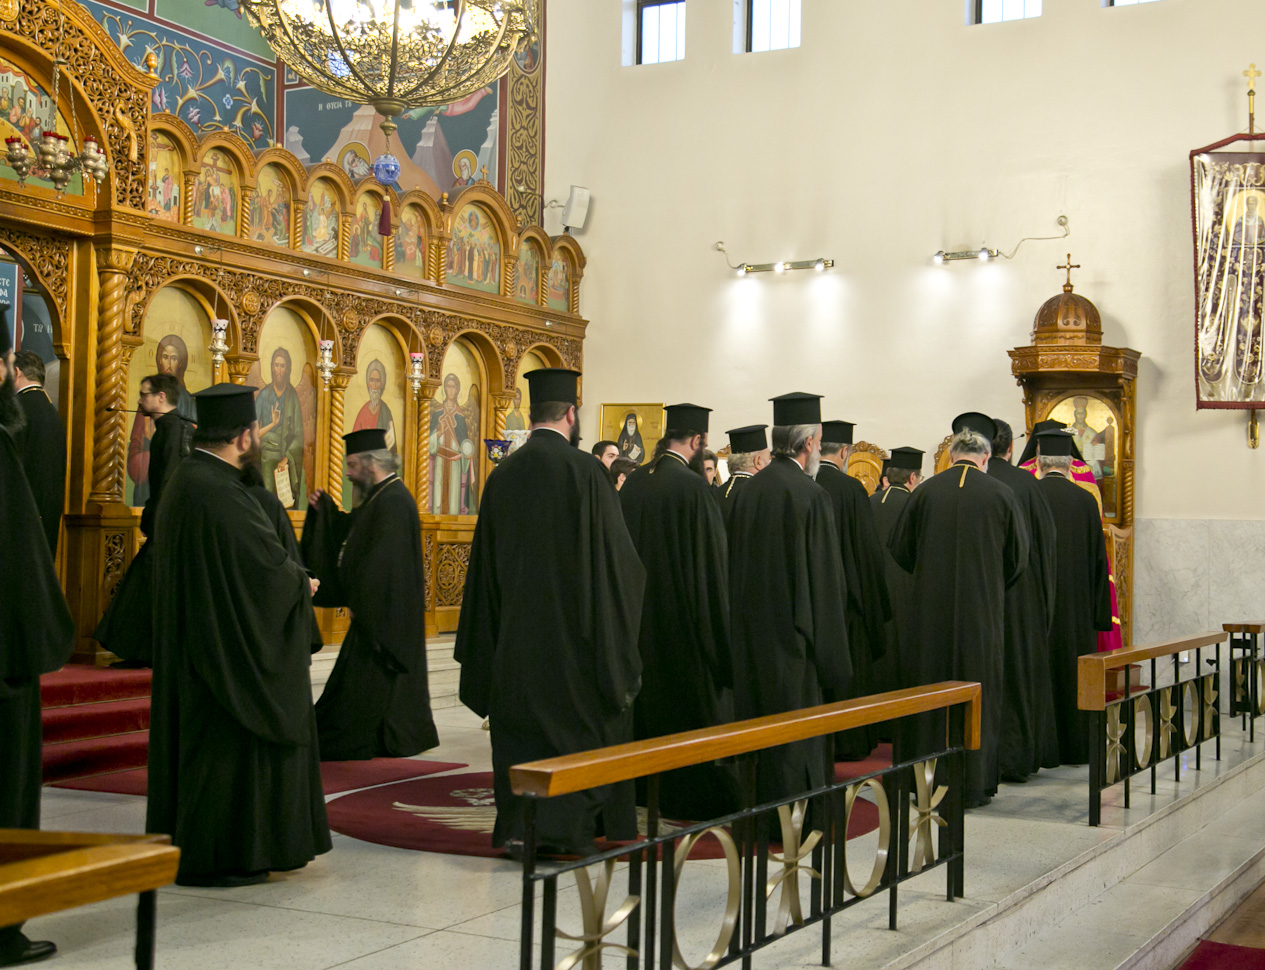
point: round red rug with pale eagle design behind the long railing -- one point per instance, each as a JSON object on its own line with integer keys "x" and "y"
{"x": 456, "y": 815}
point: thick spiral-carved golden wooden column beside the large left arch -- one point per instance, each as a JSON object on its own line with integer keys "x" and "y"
{"x": 109, "y": 426}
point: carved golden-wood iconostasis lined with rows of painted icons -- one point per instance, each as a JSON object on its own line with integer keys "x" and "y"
{"x": 431, "y": 329}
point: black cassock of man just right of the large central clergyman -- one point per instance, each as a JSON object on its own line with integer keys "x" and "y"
{"x": 688, "y": 676}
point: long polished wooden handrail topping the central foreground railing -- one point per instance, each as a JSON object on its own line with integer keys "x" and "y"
{"x": 622, "y": 763}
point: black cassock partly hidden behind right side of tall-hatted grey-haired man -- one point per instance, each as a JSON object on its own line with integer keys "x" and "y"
{"x": 868, "y": 608}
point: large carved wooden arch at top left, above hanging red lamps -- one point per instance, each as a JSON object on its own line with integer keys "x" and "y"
{"x": 114, "y": 93}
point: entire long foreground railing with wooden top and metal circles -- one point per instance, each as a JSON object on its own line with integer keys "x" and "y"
{"x": 656, "y": 864}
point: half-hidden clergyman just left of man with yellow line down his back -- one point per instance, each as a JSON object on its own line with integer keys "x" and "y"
{"x": 904, "y": 472}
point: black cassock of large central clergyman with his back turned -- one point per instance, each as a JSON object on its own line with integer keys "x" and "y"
{"x": 548, "y": 633}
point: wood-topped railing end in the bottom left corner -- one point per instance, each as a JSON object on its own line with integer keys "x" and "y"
{"x": 45, "y": 873}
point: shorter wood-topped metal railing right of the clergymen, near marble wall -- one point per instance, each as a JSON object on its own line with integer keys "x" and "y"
{"x": 1114, "y": 753}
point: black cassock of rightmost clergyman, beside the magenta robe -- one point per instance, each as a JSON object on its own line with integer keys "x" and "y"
{"x": 1082, "y": 605}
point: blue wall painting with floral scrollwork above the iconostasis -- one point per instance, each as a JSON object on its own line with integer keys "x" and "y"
{"x": 208, "y": 87}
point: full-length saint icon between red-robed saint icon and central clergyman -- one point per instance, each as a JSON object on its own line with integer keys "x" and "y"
{"x": 456, "y": 445}
